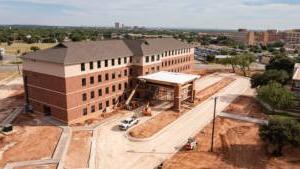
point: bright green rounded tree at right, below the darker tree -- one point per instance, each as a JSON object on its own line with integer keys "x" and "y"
{"x": 276, "y": 95}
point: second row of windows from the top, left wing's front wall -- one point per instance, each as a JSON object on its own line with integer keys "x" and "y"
{"x": 107, "y": 77}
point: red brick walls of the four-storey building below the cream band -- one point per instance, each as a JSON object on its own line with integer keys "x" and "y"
{"x": 65, "y": 96}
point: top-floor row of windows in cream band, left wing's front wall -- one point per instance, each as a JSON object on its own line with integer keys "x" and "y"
{"x": 113, "y": 63}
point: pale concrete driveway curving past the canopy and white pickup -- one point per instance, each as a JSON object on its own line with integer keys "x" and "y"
{"x": 115, "y": 151}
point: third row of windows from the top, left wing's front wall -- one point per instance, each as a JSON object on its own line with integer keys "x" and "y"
{"x": 107, "y": 90}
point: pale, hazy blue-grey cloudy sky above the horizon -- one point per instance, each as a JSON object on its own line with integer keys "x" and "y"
{"x": 205, "y": 14}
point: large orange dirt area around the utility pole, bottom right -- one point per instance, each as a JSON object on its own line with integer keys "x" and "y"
{"x": 236, "y": 145}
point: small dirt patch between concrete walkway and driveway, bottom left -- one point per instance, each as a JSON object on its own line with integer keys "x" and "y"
{"x": 79, "y": 150}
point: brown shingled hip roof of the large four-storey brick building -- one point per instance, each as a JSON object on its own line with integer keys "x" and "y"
{"x": 78, "y": 52}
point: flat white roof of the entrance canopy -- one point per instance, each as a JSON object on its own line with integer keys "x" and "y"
{"x": 169, "y": 78}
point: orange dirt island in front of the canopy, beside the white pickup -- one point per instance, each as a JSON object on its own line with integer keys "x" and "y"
{"x": 155, "y": 124}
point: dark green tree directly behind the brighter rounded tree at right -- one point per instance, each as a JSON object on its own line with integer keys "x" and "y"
{"x": 260, "y": 79}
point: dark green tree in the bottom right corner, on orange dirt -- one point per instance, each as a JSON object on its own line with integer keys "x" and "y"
{"x": 280, "y": 132}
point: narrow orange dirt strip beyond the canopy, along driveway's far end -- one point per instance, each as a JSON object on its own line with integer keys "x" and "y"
{"x": 212, "y": 89}
